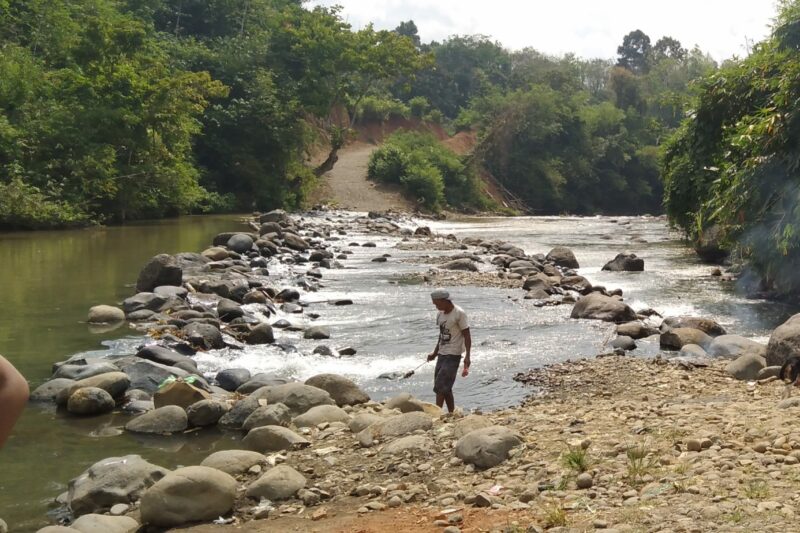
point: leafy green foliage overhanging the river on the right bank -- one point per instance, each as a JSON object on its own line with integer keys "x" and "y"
{"x": 733, "y": 168}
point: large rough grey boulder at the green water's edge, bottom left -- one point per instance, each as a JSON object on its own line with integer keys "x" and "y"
{"x": 111, "y": 481}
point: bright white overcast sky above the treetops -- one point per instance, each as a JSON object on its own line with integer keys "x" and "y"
{"x": 588, "y": 28}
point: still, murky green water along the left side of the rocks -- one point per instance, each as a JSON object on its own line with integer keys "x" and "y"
{"x": 48, "y": 281}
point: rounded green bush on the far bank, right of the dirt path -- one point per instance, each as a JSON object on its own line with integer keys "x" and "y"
{"x": 429, "y": 172}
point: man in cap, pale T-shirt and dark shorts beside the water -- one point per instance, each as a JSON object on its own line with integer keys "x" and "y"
{"x": 454, "y": 339}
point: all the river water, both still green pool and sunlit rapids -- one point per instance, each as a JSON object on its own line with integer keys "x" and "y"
{"x": 49, "y": 280}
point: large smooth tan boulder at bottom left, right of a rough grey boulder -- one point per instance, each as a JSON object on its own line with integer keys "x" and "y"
{"x": 189, "y": 494}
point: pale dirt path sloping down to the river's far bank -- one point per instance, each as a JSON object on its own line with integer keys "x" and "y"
{"x": 346, "y": 185}
